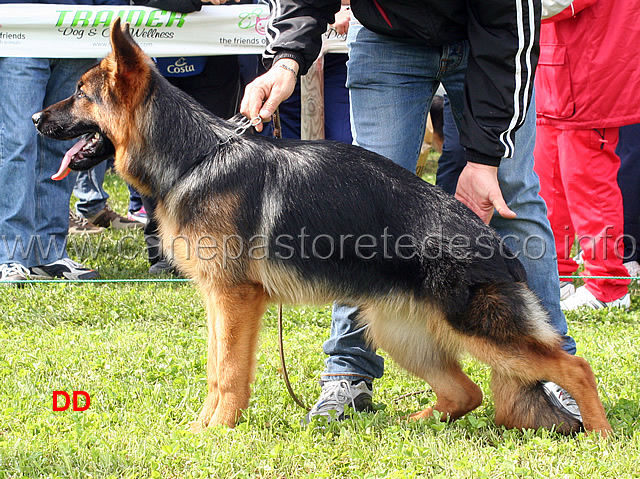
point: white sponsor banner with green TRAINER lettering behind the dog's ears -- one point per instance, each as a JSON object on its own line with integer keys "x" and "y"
{"x": 82, "y": 31}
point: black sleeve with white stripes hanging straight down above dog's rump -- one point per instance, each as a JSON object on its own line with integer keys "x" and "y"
{"x": 504, "y": 38}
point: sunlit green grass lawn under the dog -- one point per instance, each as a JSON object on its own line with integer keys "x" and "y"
{"x": 139, "y": 350}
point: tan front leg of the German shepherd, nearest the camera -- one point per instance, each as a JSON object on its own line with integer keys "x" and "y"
{"x": 238, "y": 313}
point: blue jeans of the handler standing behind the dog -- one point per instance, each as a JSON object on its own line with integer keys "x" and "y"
{"x": 390, "y": 100}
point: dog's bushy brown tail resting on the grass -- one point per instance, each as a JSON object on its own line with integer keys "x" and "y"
{"x": 529, "y": 406}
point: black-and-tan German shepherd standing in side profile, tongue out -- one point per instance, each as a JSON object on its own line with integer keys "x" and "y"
{"x": 255, "y": 220}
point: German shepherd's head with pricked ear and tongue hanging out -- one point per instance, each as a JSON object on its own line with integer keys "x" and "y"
{"x": 99, "y": 111}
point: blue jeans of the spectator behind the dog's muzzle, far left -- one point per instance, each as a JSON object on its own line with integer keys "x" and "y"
{"x": 34, "y": 210}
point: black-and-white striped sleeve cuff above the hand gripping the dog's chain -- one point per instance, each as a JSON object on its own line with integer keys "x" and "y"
{"x": 295, "y": 30}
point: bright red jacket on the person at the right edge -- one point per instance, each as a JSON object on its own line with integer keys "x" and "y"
{"x": 588, "y": 73}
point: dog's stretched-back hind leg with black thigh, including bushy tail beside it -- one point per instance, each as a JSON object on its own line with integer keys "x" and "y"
{"x": 505, "y": 327}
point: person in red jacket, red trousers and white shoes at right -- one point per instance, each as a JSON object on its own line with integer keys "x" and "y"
{"x": 587, "y": 86}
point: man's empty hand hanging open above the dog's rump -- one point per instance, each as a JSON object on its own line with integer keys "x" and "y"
{"x": 478, "y": 188}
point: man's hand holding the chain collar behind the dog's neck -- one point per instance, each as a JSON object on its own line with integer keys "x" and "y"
{"x": 263, "y": 95}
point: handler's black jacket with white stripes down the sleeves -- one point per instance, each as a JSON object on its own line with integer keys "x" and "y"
{"x": 503, "y": 35}
